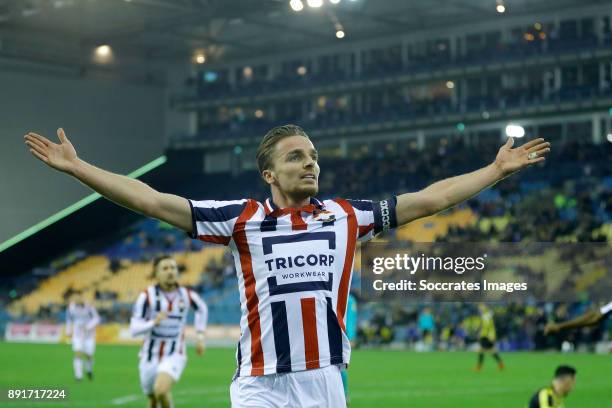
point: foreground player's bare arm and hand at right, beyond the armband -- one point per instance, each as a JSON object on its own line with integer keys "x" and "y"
{"x": 452, "y": 191}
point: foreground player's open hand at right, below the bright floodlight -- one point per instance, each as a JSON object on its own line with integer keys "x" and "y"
{"x": 511, "y": 160}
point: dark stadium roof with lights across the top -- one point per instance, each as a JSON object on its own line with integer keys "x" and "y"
{"x": 64, "y": 32}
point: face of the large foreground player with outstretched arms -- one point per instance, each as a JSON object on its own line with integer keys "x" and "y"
{"x": 295, "y": 171}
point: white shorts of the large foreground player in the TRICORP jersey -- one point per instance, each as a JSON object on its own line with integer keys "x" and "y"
{"x": 318, "y": 388}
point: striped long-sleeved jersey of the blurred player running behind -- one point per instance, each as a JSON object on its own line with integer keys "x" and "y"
{"x": 168, "y": 337}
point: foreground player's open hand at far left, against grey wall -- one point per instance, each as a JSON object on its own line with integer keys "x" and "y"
{"x": 61, "y": 156}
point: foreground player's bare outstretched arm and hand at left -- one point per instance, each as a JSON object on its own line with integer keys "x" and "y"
{"x": 127, "y": 192}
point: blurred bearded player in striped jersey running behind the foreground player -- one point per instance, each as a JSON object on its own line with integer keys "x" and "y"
{"x": 160, "y": 313}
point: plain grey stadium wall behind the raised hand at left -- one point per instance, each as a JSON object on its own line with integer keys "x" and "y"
{"x": 114, "y": 125}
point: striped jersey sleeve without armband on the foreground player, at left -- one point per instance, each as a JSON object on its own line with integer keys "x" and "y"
{"x": 213, "y": 221}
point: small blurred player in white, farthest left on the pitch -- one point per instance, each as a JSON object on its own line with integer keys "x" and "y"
{"x": 81, "y": 321}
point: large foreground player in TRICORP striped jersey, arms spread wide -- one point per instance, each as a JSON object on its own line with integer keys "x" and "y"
{"x": 293, "y": 254}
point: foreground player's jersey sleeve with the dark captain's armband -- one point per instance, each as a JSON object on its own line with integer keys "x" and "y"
{"x": 374, "y": 217}
